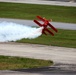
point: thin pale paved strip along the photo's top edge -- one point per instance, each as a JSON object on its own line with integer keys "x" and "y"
{"x": 48, "y": 2}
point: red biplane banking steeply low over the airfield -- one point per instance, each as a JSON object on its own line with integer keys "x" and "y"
{"x": 45, "y": 25}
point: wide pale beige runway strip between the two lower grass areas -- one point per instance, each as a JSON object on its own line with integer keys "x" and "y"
{"x": 57, "y": 54}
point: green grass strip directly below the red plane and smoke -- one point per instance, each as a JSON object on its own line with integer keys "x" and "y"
{"x": 64, "y": 38}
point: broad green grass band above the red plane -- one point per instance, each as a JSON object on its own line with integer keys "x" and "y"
{"x": 30, "y": 11}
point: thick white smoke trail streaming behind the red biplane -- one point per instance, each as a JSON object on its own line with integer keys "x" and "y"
{"x": 10, "y": 31}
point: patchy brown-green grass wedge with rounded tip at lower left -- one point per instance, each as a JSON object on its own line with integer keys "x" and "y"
{"x": 9, "y": 62}
